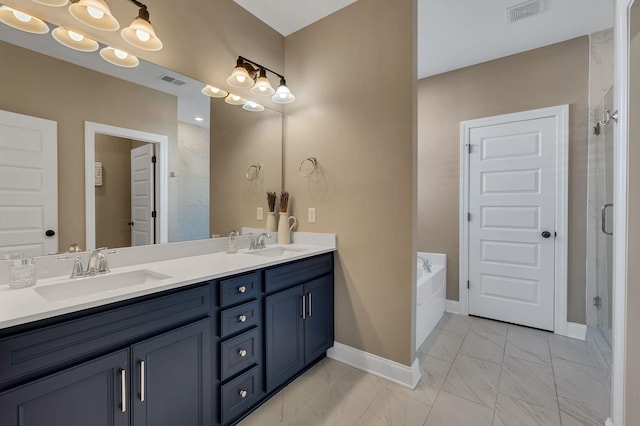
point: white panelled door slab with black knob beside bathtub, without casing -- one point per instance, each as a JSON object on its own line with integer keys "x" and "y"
{"x": 512, "y": 192}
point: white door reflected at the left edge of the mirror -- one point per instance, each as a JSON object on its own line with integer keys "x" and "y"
{"x": 28, "y": 185}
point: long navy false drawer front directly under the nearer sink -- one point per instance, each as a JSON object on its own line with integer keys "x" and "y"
{"x": 28, "y": 354}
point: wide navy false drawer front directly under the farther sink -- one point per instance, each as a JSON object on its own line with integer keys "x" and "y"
{"x": 290, "y": 274}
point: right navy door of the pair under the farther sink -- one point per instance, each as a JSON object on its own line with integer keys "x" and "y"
{"x": 318, "y": 325}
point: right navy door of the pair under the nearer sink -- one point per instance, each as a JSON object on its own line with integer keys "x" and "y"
{"x": 172, "y": 378}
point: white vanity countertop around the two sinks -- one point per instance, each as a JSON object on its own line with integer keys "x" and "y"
{"x": 20, "y": 306}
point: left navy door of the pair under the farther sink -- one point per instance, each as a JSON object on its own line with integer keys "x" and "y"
{"x": 284, "y": 334}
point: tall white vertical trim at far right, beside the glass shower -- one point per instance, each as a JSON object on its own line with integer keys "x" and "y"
{"x": 621, "y": 178}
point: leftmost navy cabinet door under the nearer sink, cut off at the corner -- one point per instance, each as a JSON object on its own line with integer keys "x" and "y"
{"x": 89, "y": 394}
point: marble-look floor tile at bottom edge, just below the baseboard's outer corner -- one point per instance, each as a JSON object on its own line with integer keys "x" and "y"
{"x": 392, "y": 408}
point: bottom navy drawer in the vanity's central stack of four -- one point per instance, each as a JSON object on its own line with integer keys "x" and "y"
{"x": 240, "y": 394}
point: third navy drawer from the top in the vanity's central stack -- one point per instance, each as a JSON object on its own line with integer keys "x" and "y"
{"x": 240, "y": 352}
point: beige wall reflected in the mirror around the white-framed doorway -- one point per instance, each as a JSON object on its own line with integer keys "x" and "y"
{"x": 40, "y": 86}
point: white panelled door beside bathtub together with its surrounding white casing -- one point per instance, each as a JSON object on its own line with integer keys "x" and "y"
{"x": 514, "y": 184}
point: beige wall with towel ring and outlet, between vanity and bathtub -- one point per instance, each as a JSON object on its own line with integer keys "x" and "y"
{"x": 354, "y": 77}
